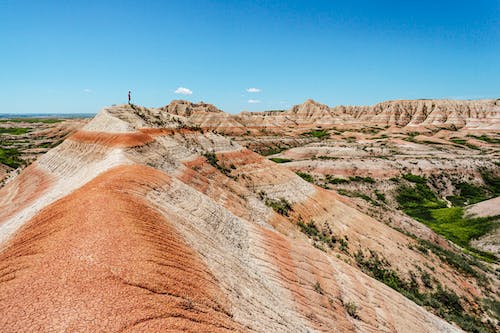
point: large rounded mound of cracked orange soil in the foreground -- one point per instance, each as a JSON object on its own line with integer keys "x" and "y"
{"x": 102, "y": 259}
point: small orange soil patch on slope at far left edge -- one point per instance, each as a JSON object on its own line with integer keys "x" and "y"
{"x": 31, "y": 184}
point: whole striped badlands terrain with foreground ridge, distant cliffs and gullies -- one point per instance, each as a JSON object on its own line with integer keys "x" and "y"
{"x": 187, "y": 218}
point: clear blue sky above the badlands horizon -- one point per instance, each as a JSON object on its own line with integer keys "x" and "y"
{"x": 78, "y": 56}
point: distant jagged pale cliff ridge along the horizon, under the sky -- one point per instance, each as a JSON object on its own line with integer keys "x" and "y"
{"x": 412, "y": 114}
